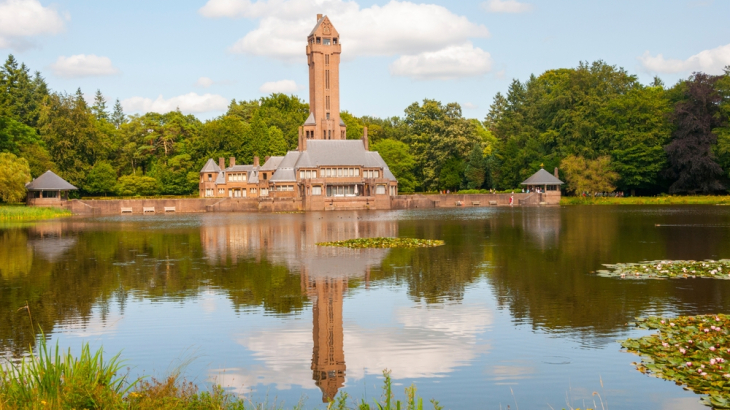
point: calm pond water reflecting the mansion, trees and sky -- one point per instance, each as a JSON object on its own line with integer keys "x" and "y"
{"x": 507, "y": 313}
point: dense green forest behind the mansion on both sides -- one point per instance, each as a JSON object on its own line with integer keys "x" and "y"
{"x": 602, "y": 128}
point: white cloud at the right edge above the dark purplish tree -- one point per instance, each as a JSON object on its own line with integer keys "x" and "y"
{"x": 709, "y": 61}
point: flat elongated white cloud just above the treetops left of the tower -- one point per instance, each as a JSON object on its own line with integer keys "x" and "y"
{"x": 187, "y": 103}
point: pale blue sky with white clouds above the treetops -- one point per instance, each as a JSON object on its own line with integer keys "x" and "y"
{"x": 198, "y": 55}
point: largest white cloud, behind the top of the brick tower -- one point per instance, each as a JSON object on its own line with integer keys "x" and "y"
{"x": 398, "y": 27}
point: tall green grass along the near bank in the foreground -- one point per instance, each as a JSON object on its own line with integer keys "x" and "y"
{"x": 50, "y": 379}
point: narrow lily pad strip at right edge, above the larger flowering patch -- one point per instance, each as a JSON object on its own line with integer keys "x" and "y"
{"x": 669, "y": 270}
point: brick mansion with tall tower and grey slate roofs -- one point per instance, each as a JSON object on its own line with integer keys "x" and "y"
{"x": 327, "y": 171}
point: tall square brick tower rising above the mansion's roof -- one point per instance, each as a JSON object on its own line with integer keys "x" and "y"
{"x": 323, "y": 58}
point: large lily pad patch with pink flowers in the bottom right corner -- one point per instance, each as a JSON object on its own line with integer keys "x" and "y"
{"x": 692, "y": 351}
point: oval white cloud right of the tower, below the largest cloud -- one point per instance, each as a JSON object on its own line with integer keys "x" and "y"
{"x": 449, "y": 63}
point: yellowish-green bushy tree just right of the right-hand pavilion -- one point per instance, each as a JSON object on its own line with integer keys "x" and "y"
{"x": 590, "y": 176}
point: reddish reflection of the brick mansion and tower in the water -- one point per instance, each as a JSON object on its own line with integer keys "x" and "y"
{"x": 325, "y": 271}
